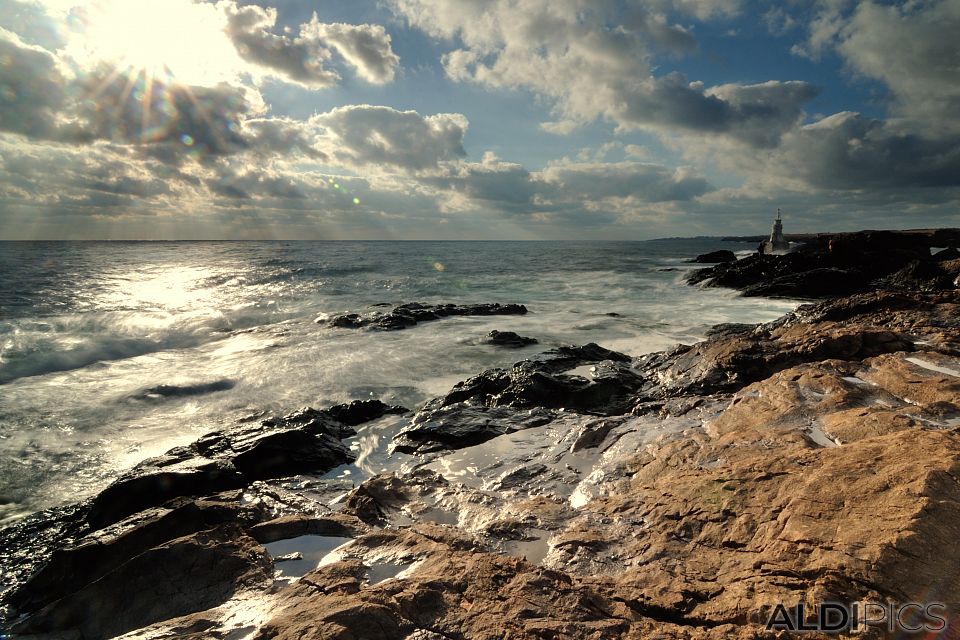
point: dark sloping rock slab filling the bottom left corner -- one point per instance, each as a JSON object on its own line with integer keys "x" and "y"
{"x": 181, "y": 576}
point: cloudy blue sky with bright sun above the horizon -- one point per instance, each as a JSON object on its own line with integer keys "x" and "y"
{"x": 475, "y": 119}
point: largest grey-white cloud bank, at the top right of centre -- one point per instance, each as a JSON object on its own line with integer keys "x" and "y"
{"x": 596, "y": 61}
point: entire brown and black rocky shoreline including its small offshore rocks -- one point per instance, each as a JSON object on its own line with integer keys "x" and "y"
{"x": 582, "y": 493}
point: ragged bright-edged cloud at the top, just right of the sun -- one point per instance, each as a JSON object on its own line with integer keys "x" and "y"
{"x": 305, "y": 59}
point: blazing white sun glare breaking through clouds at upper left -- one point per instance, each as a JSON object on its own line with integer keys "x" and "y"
{"x": 179, "y": 38}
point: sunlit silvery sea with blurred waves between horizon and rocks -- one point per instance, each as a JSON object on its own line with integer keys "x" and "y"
{"x": 113, "y": 352}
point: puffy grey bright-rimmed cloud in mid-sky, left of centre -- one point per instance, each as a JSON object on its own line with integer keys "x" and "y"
{"x": 364, "y": 135}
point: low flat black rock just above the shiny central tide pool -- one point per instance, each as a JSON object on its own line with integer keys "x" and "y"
{"x": 463, "y": 425}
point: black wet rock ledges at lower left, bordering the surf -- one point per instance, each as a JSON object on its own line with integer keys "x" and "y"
{"x": 173, "y": 532}
